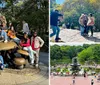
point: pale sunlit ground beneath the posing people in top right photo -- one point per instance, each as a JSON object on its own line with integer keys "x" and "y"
{"x": 69, "y": 35}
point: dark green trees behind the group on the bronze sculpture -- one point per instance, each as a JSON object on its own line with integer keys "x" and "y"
{"x": 28, "y": 10}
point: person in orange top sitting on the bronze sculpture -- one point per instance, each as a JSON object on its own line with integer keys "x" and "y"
{"x": 12, "y": 35}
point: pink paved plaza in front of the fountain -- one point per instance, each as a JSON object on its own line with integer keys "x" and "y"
{"x": 56, "y": 80}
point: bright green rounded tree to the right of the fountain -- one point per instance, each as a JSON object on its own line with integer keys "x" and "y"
{"x": 91, "y": 54}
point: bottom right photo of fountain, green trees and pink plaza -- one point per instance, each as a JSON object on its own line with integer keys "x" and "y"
{"x": 75, "y": 64}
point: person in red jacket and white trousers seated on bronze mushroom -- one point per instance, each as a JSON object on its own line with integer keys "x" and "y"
{"x": 26, "y": 46}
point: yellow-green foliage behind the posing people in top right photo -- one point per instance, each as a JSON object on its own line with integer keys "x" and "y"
{"x": 72, "y": 10}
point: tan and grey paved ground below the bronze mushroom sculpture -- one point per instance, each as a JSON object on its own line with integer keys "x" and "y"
{"x": 35, "y": 77}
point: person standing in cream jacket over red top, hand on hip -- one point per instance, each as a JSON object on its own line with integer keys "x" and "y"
{"x": 36, "y": 43}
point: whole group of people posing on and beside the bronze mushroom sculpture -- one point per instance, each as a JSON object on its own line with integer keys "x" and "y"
{"x": 31, "y": 44}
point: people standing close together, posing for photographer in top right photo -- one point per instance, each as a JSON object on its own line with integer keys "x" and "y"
{"x": 86, "y": 23}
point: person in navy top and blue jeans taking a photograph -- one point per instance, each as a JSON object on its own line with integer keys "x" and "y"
{"x": 54, "y": 18}
